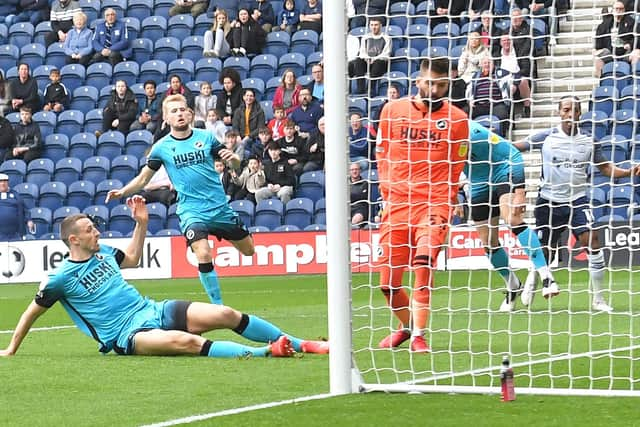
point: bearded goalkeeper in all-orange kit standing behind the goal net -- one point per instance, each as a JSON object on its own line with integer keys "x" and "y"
{"x": 421, "y": 151}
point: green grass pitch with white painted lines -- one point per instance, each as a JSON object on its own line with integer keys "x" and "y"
{"x": 59, "y": 378}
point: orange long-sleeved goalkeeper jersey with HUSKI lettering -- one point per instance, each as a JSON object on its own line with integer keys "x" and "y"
{"x": 420, "y": 153}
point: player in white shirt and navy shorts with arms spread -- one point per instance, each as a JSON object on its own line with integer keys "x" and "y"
{"x": 566, "y": 157}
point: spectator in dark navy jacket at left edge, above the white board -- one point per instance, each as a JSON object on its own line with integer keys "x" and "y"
{"x": 13, "y": 214}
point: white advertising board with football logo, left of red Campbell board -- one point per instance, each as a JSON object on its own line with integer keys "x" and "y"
{"x": 31, "y": 261}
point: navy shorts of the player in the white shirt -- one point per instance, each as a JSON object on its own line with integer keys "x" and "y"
{"x": 552, "y": 219}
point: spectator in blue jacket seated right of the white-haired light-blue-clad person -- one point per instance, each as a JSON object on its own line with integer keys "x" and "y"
{"x": 110, "y": 39}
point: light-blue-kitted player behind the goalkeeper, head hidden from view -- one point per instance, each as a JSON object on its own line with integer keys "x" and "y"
{"x": 495, "y": 170}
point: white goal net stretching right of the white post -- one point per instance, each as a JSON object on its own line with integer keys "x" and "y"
{"x": 567, "y": 344}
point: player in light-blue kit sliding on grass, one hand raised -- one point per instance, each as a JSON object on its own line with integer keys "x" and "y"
{"x": 90, "y": 286}
